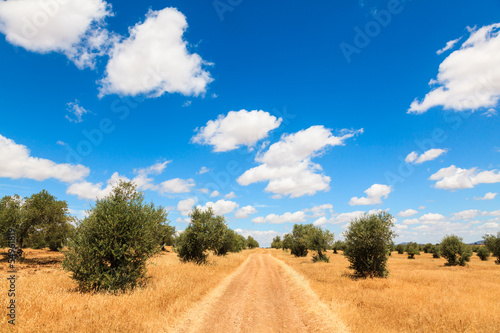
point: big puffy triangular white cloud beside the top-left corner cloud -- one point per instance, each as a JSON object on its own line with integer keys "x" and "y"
{"x": 154, "y": 59}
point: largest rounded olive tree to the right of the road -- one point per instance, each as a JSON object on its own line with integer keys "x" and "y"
{"x": 367, "y": 242}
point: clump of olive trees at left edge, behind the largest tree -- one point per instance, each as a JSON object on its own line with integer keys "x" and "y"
{"x": 39, "y": 221}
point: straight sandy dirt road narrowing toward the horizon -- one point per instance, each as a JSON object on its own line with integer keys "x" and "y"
{"x": 263, "y": 295}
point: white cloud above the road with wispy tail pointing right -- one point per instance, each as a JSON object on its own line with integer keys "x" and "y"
{"x": 287, "y": 165}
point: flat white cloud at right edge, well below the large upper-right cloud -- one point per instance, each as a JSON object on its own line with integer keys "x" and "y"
{"x": 453, "y": 178}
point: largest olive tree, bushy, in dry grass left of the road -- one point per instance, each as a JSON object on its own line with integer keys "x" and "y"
{"x": 112, "y": 245}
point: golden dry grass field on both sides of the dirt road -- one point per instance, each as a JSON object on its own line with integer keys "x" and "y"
{"x": 420, "y": 295}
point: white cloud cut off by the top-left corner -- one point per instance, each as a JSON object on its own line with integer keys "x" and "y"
{"x": 74, "y": 28}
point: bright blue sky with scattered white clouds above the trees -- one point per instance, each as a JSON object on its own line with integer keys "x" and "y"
{"x": 272, "y": 113}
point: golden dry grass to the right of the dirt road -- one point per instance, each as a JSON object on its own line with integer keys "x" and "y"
{"x": 420, "y": 295}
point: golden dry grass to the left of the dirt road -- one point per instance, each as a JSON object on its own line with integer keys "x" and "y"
{"x": 47, "y": 300}
